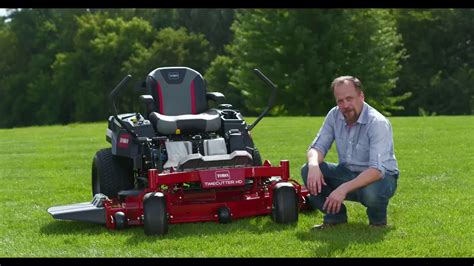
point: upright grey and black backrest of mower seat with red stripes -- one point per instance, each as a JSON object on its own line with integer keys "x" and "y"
{"x": 177, "y": 90}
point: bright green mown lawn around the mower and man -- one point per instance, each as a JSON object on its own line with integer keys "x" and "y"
{"x": 429, "y": 216}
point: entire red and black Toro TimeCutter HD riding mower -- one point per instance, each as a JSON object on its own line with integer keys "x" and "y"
{"x": 183, "y": 162}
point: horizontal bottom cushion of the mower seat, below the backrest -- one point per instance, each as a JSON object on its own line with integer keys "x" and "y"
{"x": 208, "y": 121}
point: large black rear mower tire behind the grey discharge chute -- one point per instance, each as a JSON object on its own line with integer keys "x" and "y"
{"x": 111, "y": 173}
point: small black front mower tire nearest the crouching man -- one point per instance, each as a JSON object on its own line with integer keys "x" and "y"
{"x": 285, "y": 203}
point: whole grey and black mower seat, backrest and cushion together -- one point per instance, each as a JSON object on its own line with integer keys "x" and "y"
{"x": 180, "y": 100}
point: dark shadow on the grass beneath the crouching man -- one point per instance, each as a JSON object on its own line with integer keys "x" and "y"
{"x": 335, "y": 240}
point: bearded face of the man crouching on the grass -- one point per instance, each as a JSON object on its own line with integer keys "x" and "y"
{"x": 349, "y": 100}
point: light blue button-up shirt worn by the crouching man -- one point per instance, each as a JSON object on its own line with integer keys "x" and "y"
{"x": 367, "y": 144}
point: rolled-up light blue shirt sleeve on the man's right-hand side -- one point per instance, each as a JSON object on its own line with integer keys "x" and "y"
{"x": 380, "y": 135}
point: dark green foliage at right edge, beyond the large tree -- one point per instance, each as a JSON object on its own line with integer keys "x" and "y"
{"x": 440, "y": 65}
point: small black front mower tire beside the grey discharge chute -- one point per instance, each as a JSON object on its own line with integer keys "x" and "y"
{"x": 154, "y": 214}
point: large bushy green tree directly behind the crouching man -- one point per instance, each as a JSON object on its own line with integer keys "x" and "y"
{"x": 304, "y": 50}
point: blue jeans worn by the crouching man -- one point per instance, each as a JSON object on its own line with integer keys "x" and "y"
{"x": 374, "y": 196}
